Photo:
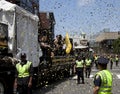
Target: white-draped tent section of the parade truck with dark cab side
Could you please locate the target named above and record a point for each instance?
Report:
(18, 32)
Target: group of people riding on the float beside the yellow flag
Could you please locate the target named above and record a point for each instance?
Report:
(49, 50)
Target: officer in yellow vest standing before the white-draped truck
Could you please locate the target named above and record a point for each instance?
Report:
(23, 76)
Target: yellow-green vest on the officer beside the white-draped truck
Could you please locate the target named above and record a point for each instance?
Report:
(23, 71)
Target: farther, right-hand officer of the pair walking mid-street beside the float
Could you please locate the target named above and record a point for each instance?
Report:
(88, 63)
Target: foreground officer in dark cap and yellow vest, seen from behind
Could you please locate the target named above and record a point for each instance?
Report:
(103, 78)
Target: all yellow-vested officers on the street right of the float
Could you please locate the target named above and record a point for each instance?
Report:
(103, 78)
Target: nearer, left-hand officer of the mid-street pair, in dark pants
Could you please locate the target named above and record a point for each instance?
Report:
(79, 69)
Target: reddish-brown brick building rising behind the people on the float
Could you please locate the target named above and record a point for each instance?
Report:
(46, 25)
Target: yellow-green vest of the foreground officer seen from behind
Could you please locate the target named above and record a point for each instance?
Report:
(106, 82)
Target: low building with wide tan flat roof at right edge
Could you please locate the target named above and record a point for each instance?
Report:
(105, 40)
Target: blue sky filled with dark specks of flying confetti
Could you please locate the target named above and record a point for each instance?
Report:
(89, 16)
